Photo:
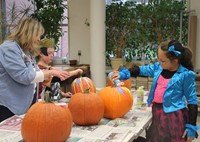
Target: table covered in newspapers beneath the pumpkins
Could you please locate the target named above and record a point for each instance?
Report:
(123, 129)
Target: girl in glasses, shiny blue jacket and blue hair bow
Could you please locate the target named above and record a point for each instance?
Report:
(172, 94)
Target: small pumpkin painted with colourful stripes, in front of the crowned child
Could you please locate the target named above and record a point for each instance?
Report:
(79, 85)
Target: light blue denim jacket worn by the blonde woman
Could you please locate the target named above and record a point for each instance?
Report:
(16, 75)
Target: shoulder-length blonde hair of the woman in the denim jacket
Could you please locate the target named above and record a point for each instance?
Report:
(26, 32)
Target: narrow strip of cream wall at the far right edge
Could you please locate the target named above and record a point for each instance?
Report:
(195, 5)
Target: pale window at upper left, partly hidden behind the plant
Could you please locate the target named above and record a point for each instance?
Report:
(16, 9)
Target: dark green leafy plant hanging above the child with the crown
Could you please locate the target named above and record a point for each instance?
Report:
(51, 14)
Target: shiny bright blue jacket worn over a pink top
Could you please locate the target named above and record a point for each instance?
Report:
(181, 88)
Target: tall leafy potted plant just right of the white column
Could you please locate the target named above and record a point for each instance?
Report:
(120, 23)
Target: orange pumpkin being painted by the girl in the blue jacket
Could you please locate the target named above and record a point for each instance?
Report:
(117, 101)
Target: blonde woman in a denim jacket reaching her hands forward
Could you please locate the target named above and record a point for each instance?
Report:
(19, 73)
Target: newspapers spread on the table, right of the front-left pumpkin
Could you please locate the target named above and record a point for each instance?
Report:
(122, 129)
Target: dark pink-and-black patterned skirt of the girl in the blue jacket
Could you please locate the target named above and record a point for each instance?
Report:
(167, 127)
